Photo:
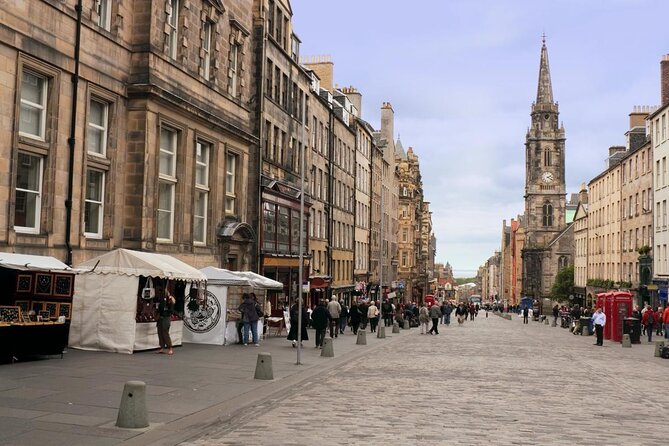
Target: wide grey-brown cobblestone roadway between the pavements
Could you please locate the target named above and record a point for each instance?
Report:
(491, 381)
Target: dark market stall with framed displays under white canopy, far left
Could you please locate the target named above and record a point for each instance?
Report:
(35, 306)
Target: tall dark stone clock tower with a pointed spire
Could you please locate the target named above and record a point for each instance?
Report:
(545, 248)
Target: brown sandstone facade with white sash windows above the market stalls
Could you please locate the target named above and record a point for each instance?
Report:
(147, 148)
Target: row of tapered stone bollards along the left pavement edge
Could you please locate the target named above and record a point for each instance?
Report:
(133, 413)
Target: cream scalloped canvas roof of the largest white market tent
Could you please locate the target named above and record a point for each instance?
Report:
(137, 263)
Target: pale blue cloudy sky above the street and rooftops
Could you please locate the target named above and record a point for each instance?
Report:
(462, 75)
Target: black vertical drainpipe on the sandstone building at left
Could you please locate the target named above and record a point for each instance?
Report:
(71, 140)
